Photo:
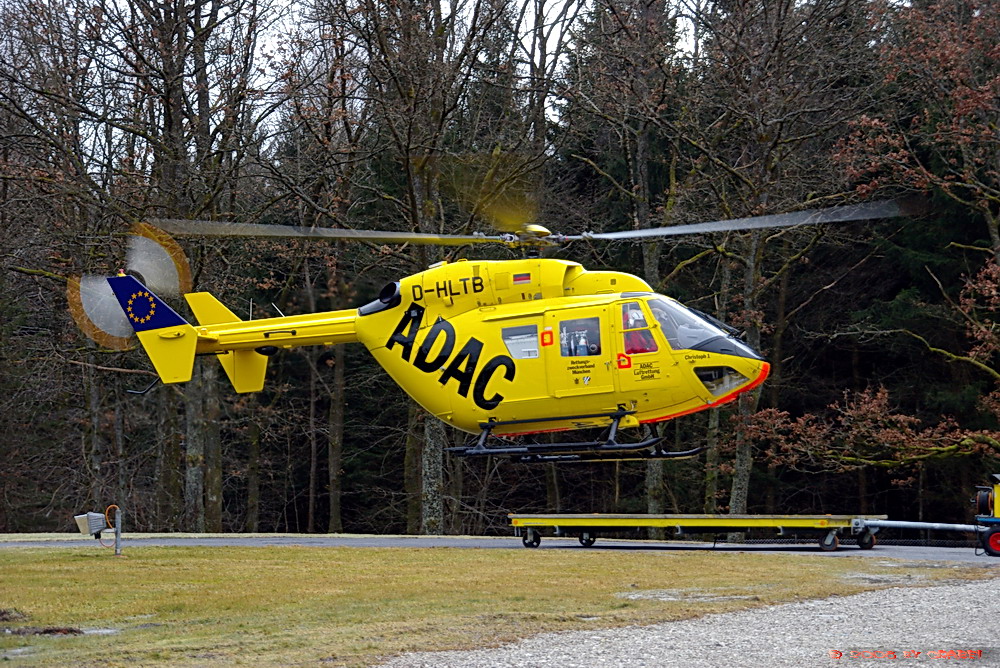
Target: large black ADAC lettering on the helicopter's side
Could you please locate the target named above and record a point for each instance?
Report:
(463, 367)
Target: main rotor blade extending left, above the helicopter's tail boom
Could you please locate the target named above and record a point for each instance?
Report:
(212, 228)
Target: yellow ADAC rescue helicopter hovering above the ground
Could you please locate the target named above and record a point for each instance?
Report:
(497, 348)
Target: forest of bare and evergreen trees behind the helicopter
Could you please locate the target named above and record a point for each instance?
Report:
(582, 115)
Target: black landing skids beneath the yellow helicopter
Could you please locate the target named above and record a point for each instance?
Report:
(608, 449)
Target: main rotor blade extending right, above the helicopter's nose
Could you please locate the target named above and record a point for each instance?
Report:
(837, 214)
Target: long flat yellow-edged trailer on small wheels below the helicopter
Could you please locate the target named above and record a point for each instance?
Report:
(827, 528)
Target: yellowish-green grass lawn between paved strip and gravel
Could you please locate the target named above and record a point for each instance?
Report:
(351, 606)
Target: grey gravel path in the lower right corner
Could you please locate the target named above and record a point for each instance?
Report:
(896, 622)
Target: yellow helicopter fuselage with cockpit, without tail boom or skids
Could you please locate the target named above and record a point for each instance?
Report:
(536, 339)
